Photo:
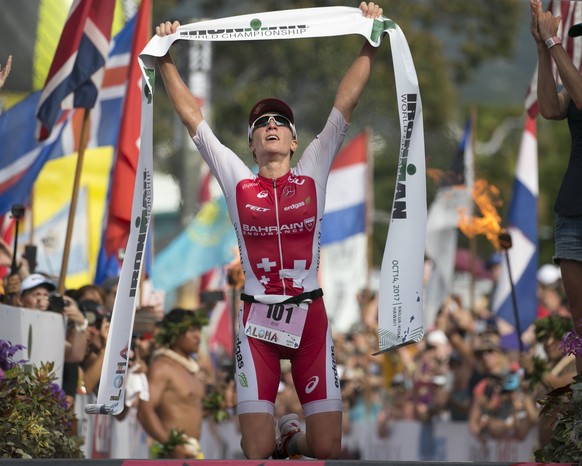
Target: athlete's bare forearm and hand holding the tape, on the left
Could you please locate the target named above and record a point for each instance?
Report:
(182, 99)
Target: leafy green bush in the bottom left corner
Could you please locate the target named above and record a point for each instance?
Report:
(34, 416)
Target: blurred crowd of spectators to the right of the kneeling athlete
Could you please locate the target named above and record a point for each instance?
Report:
(462, 371)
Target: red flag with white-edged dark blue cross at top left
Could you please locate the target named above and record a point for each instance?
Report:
(76, 72)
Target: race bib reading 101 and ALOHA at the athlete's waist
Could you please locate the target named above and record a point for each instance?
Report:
(276, 323)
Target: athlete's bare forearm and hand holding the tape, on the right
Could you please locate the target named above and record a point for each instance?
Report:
(355, 79)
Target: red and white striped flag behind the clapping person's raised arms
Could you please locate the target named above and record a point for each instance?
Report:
(571, 13)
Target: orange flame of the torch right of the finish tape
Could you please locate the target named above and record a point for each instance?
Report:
(486, 198)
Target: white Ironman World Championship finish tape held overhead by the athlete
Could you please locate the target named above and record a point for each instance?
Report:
(400, 312)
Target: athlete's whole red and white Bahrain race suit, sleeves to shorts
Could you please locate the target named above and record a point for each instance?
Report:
(278, 224)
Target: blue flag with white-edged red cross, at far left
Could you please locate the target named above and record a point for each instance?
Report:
(22, 157)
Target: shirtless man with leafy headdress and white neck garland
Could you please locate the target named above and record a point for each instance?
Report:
(173, 414)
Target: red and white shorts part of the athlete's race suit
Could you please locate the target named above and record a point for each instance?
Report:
(313, 367)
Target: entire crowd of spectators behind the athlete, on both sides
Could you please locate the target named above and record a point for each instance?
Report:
(460, 371)
